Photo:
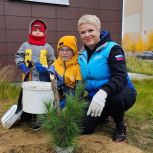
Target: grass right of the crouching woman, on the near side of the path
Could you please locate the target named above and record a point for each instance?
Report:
(140, 117)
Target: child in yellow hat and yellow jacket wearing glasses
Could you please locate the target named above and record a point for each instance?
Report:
(66, 67)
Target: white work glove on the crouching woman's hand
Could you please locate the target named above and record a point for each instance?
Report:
(97, 104)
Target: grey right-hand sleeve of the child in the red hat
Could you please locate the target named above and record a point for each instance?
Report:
(50, 55)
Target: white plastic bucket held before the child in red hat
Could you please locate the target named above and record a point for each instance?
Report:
(35, 95)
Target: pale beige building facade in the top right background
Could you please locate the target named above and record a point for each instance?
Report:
(138, 19)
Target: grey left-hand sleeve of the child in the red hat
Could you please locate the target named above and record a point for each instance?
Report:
(20, 55)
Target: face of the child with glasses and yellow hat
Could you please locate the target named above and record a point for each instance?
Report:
(65, 53)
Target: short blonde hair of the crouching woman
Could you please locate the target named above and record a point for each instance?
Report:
(90, 19)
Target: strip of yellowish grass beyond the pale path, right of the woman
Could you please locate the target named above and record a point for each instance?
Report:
(139, 66)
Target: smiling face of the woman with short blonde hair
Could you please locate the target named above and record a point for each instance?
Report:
(89, 34)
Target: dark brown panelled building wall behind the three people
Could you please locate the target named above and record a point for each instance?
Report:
(61, 20)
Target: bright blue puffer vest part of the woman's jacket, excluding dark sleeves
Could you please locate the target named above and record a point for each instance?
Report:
(97, 71)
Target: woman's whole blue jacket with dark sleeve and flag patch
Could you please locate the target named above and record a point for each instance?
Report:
(105, 68)
